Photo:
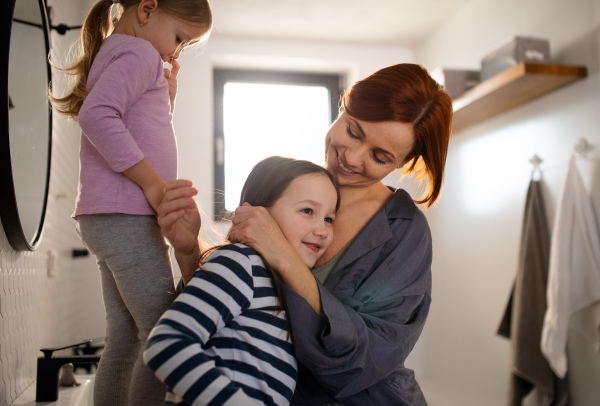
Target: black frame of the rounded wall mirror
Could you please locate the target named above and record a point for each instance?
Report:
(9, 212)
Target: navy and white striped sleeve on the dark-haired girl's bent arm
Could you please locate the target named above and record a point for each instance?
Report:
(176, 348)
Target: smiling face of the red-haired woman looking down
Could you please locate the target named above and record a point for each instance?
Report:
(361, 153)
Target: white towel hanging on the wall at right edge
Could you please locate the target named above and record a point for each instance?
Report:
(573, 292)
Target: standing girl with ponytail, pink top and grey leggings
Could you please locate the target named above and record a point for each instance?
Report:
(123, 100)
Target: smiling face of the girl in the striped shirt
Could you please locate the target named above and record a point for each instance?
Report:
(305, 213)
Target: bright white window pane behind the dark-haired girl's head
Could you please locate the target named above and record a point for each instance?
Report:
(261, 120)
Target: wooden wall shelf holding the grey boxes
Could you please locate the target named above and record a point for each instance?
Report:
(509, 89)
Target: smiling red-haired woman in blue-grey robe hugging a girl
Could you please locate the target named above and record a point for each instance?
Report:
(356, 316)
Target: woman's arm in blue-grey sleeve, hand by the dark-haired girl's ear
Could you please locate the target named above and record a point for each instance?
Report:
(362, 330)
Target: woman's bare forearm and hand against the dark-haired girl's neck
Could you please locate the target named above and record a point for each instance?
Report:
(254, 226)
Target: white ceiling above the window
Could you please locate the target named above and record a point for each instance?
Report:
(374, 22)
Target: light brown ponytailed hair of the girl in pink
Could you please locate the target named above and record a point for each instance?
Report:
(98, 25)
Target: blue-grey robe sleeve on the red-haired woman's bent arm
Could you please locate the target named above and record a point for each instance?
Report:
(376, 303)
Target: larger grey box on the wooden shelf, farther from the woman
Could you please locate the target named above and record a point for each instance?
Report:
(517, 50)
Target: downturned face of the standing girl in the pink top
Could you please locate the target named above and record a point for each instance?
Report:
(169, 35)
